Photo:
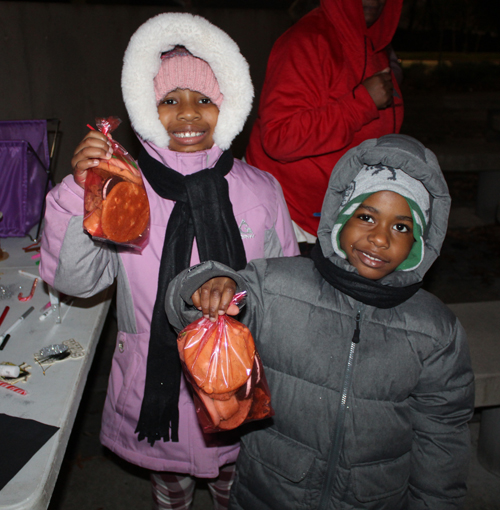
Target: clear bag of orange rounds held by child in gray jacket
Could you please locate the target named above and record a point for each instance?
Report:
(220, 362)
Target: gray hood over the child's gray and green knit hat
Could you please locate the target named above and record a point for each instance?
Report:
(409, 155)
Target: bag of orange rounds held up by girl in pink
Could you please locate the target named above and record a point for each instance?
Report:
(116, 203)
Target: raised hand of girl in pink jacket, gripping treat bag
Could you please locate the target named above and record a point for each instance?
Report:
(94, 145)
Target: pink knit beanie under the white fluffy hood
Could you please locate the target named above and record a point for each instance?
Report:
(180, 69)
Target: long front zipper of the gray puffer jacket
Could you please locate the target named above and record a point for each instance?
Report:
(333, 456)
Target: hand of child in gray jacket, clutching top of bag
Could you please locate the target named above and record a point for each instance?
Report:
(213, 298)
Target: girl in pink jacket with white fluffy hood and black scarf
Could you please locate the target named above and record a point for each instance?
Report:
(188, 92)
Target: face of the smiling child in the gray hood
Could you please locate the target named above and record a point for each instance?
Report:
(379, 235)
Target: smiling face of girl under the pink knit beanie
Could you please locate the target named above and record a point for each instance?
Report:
(189, 118)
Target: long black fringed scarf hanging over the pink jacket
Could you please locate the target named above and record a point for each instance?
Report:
(202, 210)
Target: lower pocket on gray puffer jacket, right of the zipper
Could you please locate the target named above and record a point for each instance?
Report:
(381, 480)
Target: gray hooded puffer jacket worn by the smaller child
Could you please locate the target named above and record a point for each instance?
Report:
(375, 423)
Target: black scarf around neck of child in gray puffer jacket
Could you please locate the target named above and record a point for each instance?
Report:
(369, 292)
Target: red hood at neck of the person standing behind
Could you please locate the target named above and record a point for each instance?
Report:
(348, 19)
